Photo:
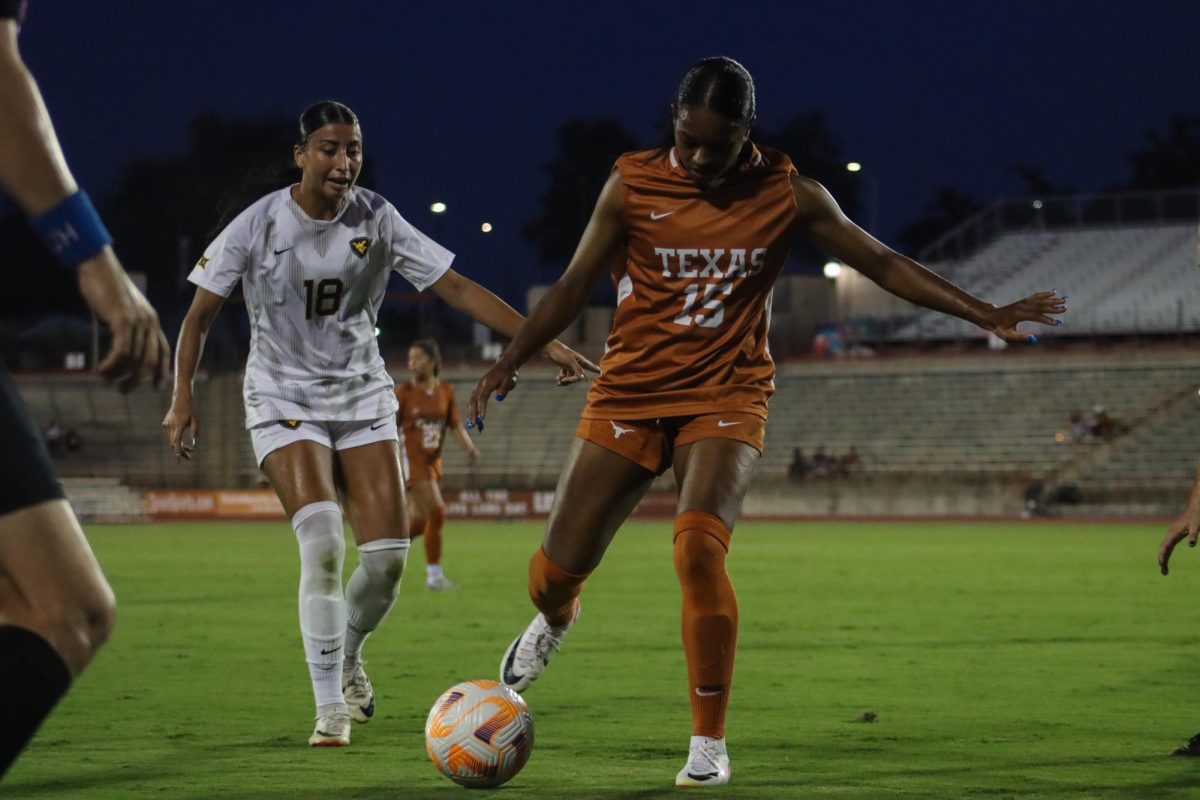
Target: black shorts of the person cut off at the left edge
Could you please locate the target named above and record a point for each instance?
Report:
(27, 477)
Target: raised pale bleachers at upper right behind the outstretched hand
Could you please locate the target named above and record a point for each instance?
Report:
(1127, 280)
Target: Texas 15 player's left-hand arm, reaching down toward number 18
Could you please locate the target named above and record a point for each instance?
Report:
(562, 304)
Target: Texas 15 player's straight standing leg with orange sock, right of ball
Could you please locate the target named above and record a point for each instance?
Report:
(713, 477)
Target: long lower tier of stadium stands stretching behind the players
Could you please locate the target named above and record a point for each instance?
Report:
(998, 417)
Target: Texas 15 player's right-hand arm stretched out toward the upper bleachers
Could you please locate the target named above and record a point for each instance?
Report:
(829, 228)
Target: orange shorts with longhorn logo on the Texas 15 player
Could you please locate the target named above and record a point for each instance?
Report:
(652, 443)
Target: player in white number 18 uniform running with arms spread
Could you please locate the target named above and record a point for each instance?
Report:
(314, 260)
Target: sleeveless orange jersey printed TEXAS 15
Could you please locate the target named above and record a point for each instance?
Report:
(694, 288)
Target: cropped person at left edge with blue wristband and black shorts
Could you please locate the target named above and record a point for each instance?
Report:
(56, 606)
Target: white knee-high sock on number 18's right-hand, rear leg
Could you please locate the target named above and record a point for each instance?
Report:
(371, 592)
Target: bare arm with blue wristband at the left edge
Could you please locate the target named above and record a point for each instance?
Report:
(35, 175)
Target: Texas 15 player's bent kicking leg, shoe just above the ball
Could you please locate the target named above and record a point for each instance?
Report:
(598, 491)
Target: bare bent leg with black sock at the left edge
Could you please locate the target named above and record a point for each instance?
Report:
(56, 612)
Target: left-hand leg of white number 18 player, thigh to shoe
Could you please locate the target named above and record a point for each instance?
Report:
(303, 476)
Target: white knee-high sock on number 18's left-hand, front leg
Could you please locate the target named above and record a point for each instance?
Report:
(319, 528)
